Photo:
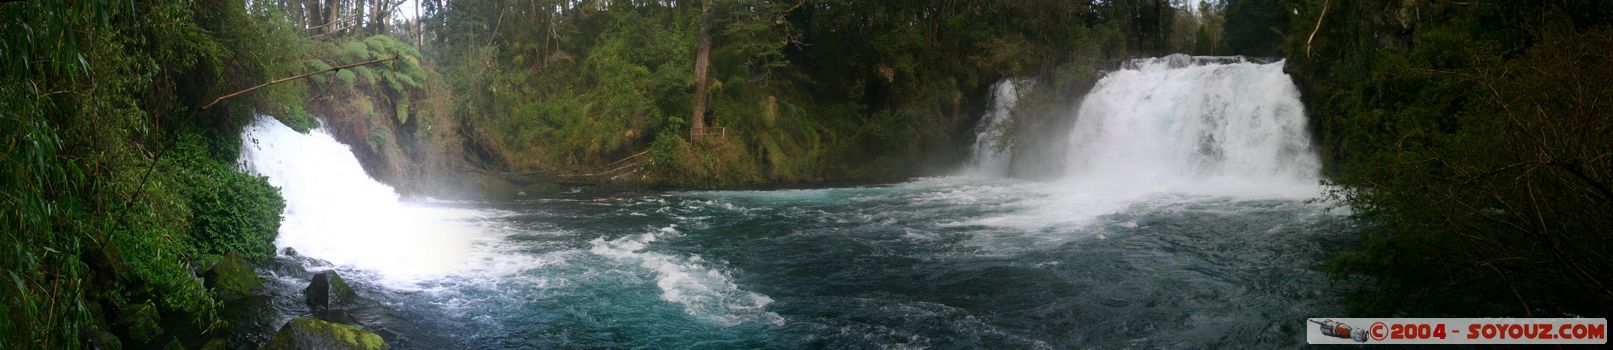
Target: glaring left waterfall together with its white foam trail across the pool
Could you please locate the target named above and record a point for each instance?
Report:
(338, 214)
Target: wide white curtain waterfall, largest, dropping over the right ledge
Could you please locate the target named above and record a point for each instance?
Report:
(1196, 127)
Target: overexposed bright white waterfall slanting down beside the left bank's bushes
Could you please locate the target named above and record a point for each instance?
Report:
(338, 214)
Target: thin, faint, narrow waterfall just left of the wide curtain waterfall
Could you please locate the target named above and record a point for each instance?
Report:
(991, 156)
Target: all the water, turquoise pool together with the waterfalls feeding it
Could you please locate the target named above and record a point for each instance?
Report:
(1183, 223)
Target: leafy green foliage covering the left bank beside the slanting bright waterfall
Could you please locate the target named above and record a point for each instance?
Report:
(99, 238)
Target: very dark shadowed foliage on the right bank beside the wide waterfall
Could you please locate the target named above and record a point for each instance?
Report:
(1475, 143)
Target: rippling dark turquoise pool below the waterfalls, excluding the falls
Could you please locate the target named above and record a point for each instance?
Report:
(935, 264)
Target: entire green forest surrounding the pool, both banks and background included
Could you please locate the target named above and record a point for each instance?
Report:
(1470, 140)
